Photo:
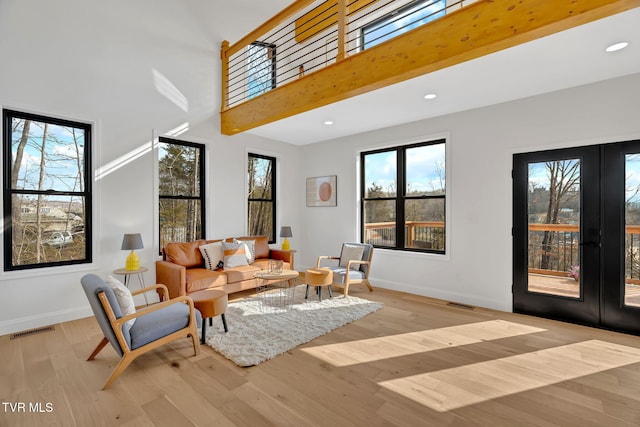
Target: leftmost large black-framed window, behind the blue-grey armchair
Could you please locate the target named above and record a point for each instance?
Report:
(46, 191)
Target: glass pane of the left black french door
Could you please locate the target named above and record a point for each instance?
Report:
(553, 212)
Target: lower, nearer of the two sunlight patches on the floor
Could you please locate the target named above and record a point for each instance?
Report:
(454, 388)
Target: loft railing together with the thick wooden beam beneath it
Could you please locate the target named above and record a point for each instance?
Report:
(312, 53)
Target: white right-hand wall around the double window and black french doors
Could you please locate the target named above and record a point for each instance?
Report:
(481, 144)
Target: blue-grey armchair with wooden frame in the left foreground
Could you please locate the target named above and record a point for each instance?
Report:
(155, 325)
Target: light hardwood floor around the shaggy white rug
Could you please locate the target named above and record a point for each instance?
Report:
(416, 362)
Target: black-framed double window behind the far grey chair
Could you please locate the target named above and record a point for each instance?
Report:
(403, 197)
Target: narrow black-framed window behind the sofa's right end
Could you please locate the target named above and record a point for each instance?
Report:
(261, 173)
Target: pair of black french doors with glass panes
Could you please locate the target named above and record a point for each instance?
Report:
(576, 235)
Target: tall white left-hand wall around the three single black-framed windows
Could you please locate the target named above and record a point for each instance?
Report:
(134, 69)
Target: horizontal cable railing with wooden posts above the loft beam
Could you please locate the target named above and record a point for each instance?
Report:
(310, 35)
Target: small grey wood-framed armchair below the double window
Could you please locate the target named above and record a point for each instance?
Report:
(351, 269)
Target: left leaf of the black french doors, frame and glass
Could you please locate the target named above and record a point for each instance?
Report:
(556, 234)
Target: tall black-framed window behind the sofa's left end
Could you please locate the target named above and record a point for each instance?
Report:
(181, 192)
